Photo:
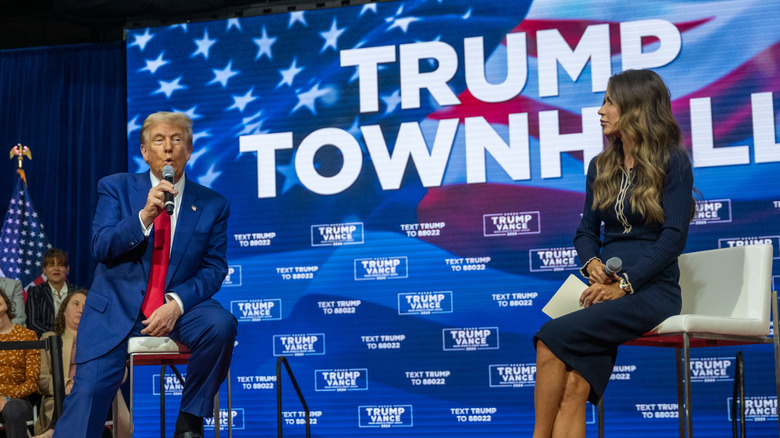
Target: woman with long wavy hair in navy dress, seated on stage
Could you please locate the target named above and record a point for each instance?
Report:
(640, 188)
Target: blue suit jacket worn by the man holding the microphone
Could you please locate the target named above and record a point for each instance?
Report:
(197, 266)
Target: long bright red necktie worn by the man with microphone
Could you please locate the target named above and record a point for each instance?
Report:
(155, 291)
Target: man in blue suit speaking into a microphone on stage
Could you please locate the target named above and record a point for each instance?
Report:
(122, 241)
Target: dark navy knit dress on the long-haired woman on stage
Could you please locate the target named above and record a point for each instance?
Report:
(587, 340)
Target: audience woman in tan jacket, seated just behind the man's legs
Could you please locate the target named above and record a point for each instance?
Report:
(66, 325)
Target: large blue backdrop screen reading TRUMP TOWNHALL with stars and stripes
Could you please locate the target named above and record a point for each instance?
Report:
(405, 181)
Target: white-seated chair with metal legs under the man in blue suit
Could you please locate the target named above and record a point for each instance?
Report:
(163, 351)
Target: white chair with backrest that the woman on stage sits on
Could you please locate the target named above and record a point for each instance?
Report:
(725, 301)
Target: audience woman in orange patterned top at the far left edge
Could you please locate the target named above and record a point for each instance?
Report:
(19, 371)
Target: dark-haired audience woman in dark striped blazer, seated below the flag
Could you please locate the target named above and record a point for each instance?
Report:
(44, 300)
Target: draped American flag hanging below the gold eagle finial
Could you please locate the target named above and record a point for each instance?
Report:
(22, 241)
